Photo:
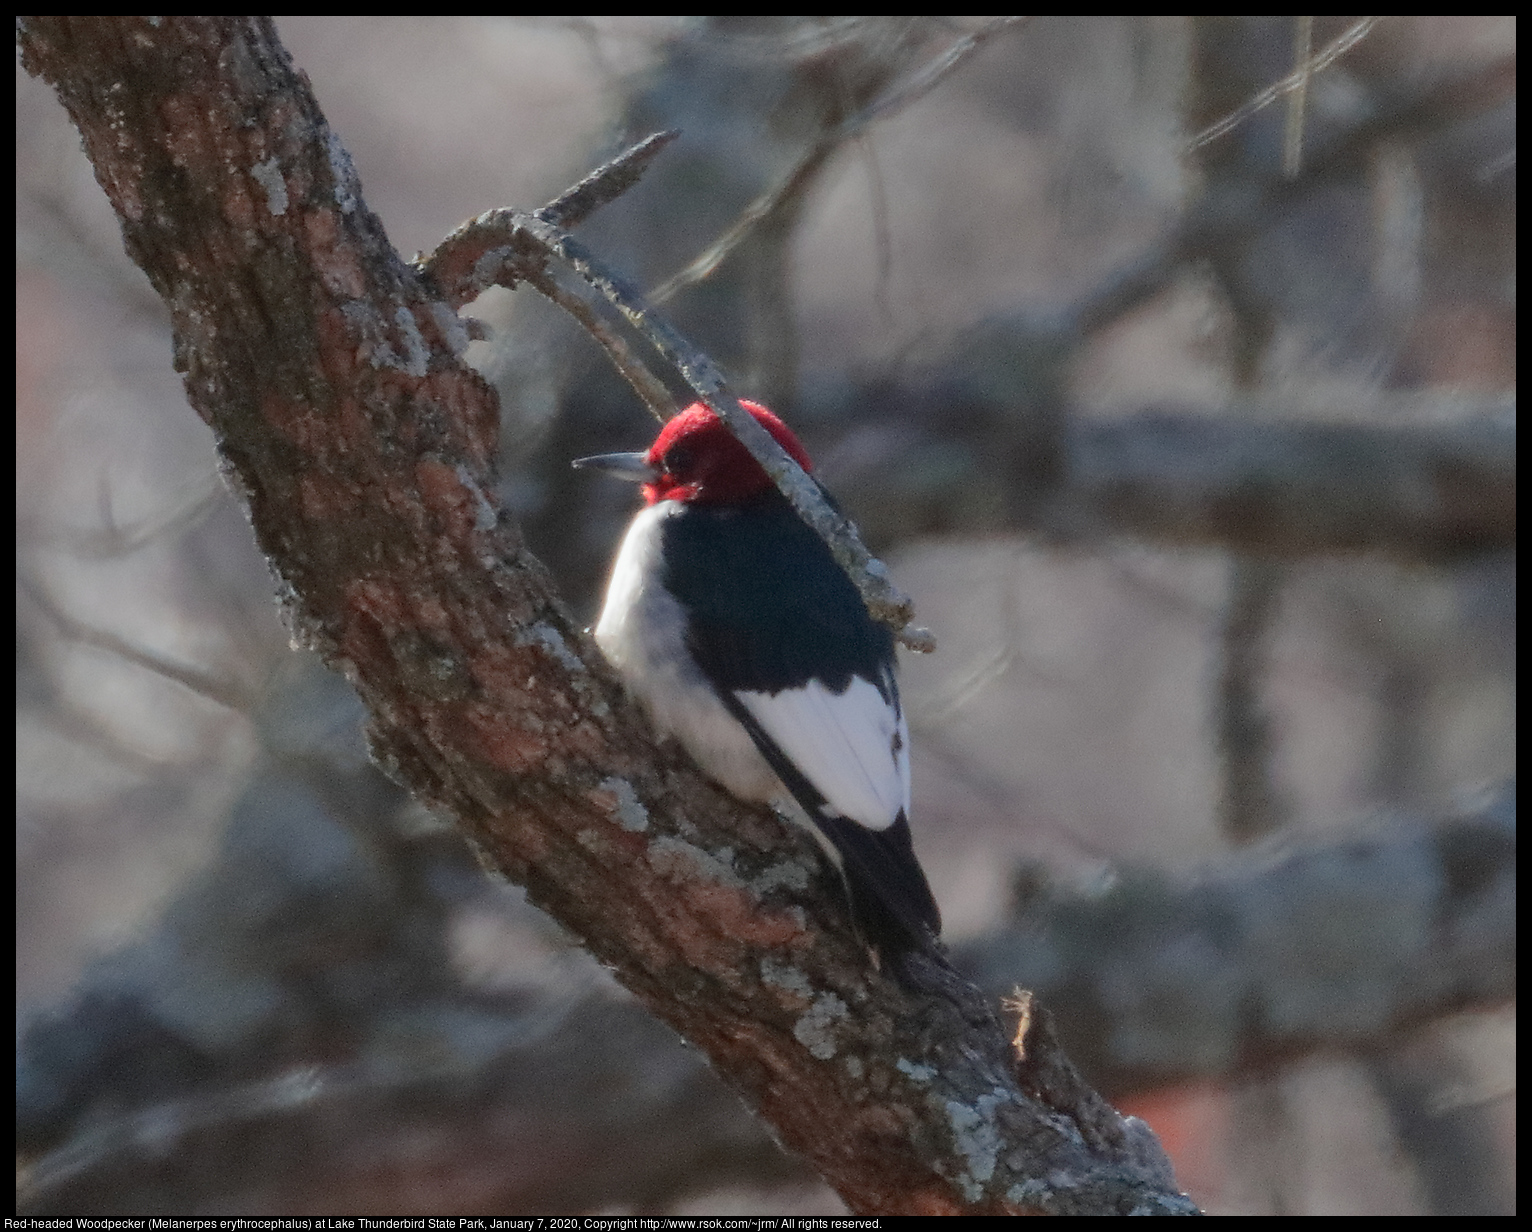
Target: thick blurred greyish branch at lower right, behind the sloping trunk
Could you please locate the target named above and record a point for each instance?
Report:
(1162, 981)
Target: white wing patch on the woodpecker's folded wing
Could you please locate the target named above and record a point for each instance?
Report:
(853, 747)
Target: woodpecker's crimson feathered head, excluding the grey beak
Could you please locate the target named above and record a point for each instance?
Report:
(699, 460)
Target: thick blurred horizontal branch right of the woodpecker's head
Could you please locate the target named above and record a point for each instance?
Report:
(1265, 482)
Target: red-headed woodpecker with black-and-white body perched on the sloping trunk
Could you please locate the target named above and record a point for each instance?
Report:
(736, 629)
